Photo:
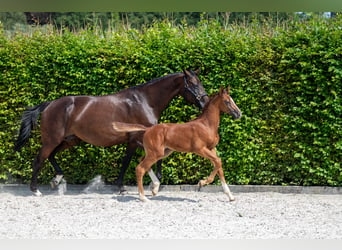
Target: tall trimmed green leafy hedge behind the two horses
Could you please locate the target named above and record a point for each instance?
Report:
(286, 79)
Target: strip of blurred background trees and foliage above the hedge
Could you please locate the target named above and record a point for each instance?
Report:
(107, 20)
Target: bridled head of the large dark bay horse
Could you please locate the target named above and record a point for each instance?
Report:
(193, 90)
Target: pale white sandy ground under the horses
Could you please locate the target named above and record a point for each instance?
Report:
(169, 215)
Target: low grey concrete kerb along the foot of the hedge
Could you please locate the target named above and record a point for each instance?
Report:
(109, 189)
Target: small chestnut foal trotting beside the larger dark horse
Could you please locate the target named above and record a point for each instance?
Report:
(199, 136)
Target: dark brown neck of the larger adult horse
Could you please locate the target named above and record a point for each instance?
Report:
(161, 92)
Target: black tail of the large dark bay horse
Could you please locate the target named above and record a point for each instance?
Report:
(28, 122)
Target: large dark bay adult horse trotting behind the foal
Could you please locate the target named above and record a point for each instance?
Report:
(67, 121)
